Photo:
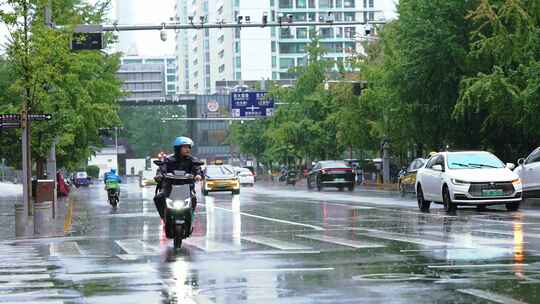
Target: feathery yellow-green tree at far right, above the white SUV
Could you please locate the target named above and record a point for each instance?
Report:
(501, 94)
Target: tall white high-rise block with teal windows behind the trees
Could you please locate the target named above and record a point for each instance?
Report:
(210, 55)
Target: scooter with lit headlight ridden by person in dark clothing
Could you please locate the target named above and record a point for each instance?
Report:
(180, 206)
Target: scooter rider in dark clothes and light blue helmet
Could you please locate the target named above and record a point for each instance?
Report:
(180, 160)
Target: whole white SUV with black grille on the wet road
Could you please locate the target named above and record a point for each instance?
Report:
(467, 178)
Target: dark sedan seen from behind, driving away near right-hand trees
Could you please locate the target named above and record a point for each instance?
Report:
(331, 173)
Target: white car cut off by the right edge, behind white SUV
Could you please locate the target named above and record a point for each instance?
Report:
(529, 172)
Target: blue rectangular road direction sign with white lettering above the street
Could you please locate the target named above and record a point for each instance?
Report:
(251, 104)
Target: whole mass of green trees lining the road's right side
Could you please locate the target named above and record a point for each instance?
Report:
(458, 74)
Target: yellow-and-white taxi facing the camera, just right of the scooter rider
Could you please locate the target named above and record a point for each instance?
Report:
(220, 178)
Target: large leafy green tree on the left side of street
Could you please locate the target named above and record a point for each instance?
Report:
(80, 89)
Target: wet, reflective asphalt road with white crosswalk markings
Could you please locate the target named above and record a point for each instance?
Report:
(278, 245)
